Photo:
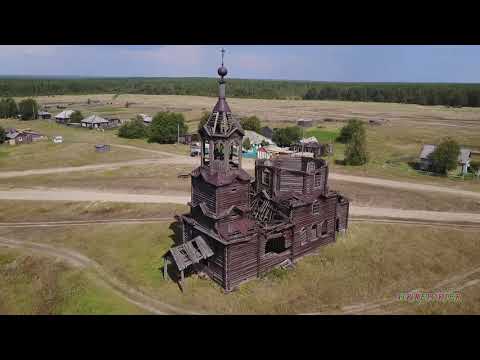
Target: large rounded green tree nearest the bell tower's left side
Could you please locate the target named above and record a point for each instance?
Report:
(164, 127)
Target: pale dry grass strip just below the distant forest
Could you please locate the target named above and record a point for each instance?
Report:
(270, 110)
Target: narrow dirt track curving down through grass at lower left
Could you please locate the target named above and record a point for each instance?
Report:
(79, 260)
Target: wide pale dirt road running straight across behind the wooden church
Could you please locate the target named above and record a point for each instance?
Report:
(181, 198)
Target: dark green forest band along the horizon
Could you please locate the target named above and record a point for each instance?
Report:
(447, 94)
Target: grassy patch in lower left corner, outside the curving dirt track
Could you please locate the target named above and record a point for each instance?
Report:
(42, 285)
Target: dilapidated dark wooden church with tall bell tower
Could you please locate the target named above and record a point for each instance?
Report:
(238, 227)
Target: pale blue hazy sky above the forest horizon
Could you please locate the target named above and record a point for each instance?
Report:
(351, 63)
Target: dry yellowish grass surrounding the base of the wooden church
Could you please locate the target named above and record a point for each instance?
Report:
(372, 262)
